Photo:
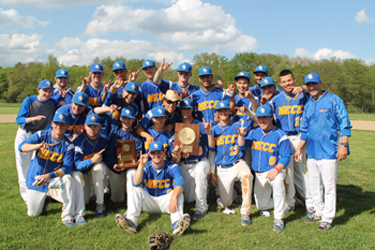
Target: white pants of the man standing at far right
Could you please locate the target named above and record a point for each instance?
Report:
(323, 175)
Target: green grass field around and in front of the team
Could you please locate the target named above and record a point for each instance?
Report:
(353, 224)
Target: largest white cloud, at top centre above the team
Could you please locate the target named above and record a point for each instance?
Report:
(186, 25)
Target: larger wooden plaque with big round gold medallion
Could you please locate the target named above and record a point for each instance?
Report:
(187, 135)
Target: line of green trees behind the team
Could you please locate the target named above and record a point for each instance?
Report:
(351, 79)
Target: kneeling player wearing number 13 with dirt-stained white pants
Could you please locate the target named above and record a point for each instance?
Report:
(223, 138)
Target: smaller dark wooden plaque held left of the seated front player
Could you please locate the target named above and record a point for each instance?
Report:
(126, 154)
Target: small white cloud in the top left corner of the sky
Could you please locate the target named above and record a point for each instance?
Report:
(13, 18)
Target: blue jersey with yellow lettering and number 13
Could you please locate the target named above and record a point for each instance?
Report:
(226, 143)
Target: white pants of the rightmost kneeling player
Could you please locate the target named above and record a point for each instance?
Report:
(263, 188)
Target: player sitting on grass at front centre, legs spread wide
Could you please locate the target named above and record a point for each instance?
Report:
(159, 194)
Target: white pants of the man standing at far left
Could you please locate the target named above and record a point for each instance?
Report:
(23, 160)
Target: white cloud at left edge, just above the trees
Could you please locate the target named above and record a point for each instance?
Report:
(21, 48)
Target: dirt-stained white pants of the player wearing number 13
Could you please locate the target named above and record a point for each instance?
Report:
(226, 179)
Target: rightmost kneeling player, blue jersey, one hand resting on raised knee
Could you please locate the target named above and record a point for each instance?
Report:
(271, 153)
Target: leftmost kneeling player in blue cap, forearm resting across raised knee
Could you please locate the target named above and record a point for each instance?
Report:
(50, 168)
